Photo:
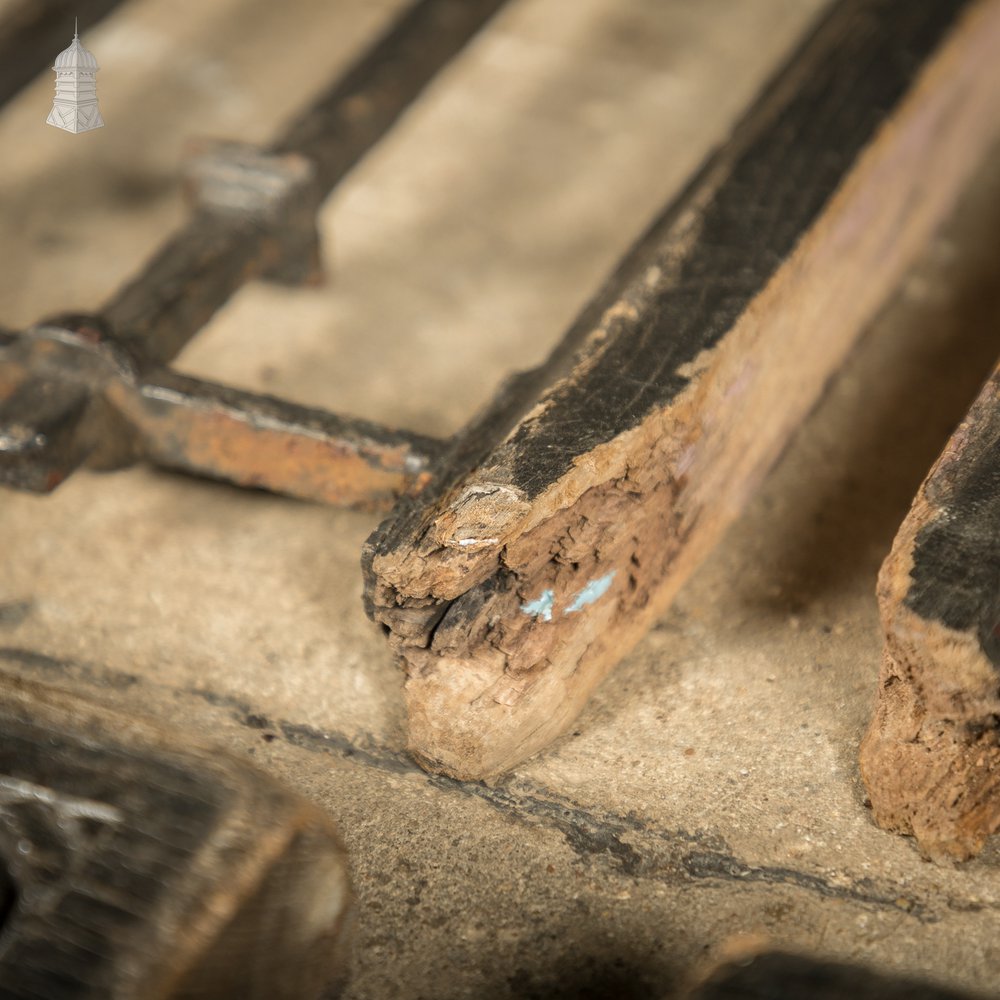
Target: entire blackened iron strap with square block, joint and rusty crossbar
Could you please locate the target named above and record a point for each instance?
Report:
(78, 389)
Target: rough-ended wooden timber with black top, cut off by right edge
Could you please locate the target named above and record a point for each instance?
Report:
(931, 758)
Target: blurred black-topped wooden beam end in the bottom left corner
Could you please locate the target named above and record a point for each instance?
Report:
(135, 866)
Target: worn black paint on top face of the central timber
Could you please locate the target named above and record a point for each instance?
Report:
(780, 170)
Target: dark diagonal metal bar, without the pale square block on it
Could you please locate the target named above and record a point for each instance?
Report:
(201, 267)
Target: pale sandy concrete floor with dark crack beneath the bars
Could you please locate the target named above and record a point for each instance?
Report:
(710, 790)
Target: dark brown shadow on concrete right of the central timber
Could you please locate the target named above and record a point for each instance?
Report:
(832, 507)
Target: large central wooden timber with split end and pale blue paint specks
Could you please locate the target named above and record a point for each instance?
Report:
(569, 514)
